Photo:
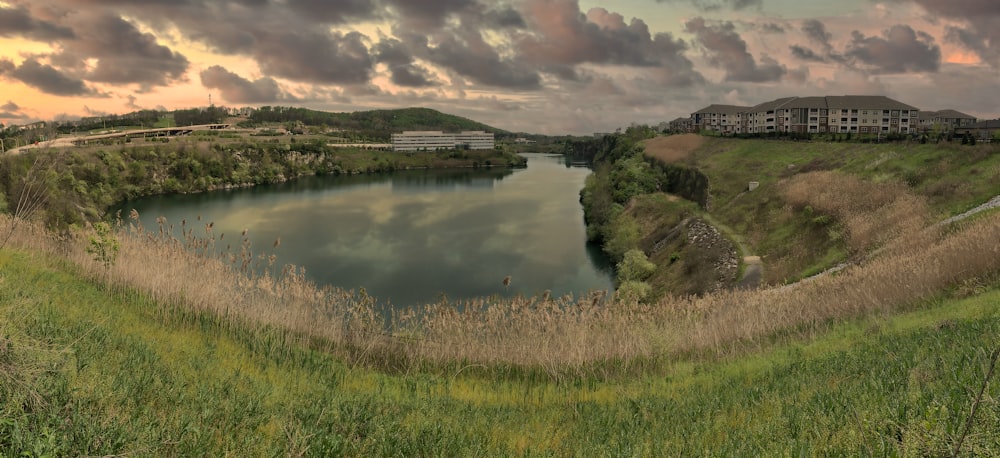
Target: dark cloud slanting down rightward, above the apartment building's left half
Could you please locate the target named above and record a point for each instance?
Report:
(727, 50)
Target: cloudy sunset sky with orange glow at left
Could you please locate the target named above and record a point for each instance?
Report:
(540, 66)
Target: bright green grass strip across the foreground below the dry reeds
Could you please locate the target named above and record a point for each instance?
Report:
(119, 374)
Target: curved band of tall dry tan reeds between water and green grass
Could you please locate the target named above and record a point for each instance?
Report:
(561, 335)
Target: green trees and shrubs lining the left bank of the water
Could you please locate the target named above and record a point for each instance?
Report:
(81, 184)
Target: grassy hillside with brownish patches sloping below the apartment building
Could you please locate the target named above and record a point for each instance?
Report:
(823, 203)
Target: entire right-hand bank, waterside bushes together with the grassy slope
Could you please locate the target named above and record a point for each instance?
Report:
(859, 193)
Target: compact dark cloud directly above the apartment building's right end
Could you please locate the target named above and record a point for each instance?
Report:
(899, 50)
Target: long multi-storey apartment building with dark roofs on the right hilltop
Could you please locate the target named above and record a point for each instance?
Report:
(855, 114)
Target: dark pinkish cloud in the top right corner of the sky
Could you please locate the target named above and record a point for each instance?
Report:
(982, 34)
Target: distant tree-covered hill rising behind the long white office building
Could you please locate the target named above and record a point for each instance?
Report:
(379, 123)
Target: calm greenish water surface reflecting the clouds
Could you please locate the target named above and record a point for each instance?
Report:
(414, 237)
